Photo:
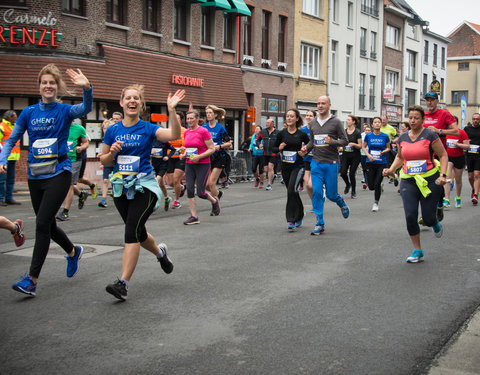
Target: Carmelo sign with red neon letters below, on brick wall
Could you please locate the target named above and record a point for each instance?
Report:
(39, 32)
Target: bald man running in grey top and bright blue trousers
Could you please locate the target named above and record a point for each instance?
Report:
(326, 135)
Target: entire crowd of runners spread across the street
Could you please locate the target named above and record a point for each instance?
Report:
(425, 158)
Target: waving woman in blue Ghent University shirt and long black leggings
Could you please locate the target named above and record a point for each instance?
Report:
(48, 125)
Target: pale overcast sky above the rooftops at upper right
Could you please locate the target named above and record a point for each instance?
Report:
(445, 15)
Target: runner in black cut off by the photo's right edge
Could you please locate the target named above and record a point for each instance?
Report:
(473, 156)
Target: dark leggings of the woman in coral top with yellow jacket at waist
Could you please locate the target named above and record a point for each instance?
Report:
(411, 196)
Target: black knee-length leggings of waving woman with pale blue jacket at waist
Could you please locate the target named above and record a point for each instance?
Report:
(134, 213)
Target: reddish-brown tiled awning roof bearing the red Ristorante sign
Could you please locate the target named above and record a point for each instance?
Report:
(223, 84)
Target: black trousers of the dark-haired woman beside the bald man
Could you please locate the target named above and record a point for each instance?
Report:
(292, 176)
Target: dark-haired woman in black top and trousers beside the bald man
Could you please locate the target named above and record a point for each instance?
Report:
(290, 142)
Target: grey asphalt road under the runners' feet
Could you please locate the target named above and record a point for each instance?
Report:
(246, 296)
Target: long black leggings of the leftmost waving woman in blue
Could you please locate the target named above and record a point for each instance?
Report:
(47, 196)
